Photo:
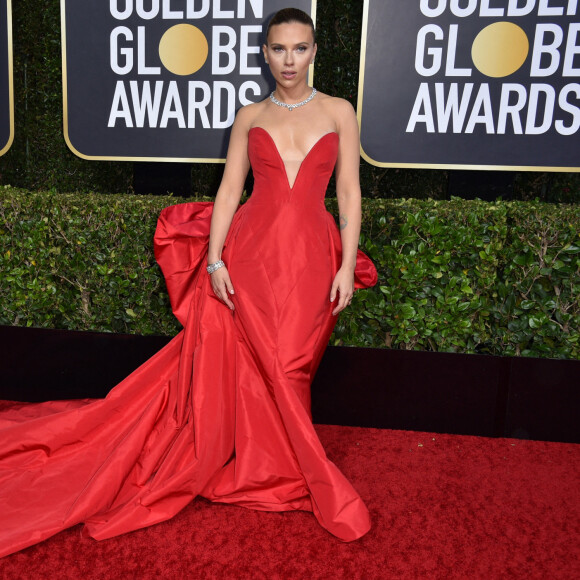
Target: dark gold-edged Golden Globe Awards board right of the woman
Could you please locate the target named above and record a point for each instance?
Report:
(472, 84)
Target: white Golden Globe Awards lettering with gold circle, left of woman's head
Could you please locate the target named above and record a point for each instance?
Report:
(183, 50)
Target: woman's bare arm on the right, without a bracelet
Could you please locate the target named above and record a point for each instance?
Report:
(349, 202)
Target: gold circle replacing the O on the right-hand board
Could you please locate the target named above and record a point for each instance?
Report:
(500, 49)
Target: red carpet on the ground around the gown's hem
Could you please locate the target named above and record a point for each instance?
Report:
(443, 506)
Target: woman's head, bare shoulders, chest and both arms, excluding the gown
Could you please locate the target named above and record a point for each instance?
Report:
(289, 51)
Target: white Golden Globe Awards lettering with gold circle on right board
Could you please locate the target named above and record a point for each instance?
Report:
(499, 50)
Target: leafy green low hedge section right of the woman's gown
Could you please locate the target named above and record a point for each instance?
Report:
(471, 277)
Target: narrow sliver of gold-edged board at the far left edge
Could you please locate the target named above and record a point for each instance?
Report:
(6, 87)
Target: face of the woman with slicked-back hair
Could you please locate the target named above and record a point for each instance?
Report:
(289, 51)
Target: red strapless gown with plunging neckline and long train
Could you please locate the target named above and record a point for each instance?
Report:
(223, 411)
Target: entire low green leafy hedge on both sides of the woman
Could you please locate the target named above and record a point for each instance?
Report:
(458, 276)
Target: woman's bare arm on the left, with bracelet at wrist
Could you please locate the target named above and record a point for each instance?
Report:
(226, 203)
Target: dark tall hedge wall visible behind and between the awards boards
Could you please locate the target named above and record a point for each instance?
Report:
(39, 158)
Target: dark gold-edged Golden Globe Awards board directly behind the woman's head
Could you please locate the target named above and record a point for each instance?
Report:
(161, 80)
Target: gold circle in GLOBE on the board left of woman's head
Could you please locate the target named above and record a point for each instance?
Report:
(183, 49)
